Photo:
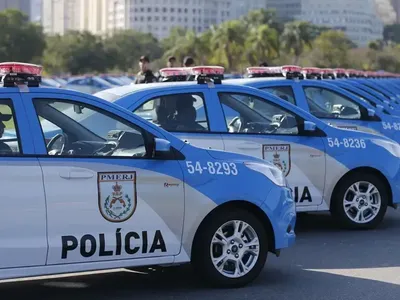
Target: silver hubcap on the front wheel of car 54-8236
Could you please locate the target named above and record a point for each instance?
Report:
(362, 202)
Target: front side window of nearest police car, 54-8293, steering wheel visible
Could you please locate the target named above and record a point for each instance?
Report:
(72, 129)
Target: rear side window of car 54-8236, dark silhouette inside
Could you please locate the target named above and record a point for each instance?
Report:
(177, 112)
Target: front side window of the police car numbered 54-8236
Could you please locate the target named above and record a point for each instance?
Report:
(249, 114)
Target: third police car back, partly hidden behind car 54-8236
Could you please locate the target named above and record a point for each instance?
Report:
(322, 99)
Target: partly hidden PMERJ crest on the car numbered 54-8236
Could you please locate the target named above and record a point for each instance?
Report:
(279, 155)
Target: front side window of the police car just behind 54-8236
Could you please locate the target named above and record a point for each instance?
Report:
(324, 103)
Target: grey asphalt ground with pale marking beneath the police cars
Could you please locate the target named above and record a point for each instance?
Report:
(326, 264)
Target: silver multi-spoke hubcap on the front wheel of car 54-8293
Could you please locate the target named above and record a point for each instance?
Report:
(235, 249)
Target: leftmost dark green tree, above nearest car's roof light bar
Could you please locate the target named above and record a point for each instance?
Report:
(20, 40)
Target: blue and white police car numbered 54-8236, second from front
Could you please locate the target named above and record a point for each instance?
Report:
(350, 173)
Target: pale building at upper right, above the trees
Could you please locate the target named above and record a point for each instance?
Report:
(359, 19)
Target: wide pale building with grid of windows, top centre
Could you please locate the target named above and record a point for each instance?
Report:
(160, 16)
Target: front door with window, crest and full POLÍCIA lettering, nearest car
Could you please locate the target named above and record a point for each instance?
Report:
(102, 207)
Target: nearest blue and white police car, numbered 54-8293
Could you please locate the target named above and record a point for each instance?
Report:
(132, 196)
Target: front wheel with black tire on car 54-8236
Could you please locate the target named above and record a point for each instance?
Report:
(354, 207)
